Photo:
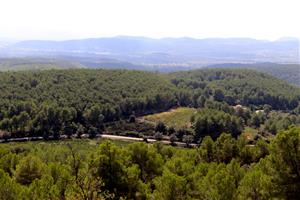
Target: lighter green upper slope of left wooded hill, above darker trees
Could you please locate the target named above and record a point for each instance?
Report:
(82, 88)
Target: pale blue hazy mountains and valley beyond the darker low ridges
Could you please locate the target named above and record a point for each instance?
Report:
(175, 51)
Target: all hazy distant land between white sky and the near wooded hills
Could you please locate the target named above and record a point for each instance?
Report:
(279, 58)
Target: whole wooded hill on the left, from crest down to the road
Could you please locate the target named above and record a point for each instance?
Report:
(50, 102)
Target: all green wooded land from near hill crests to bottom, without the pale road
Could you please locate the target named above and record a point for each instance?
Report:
(240, 130)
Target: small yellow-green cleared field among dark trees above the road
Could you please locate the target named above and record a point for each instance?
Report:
(179, 117)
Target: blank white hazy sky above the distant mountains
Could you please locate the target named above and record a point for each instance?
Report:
(68, 19)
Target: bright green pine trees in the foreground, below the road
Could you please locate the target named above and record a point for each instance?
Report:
(225, 169)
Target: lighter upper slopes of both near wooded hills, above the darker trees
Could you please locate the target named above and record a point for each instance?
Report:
(140, 90)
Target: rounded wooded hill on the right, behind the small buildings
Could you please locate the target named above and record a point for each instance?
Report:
(236, 86)
